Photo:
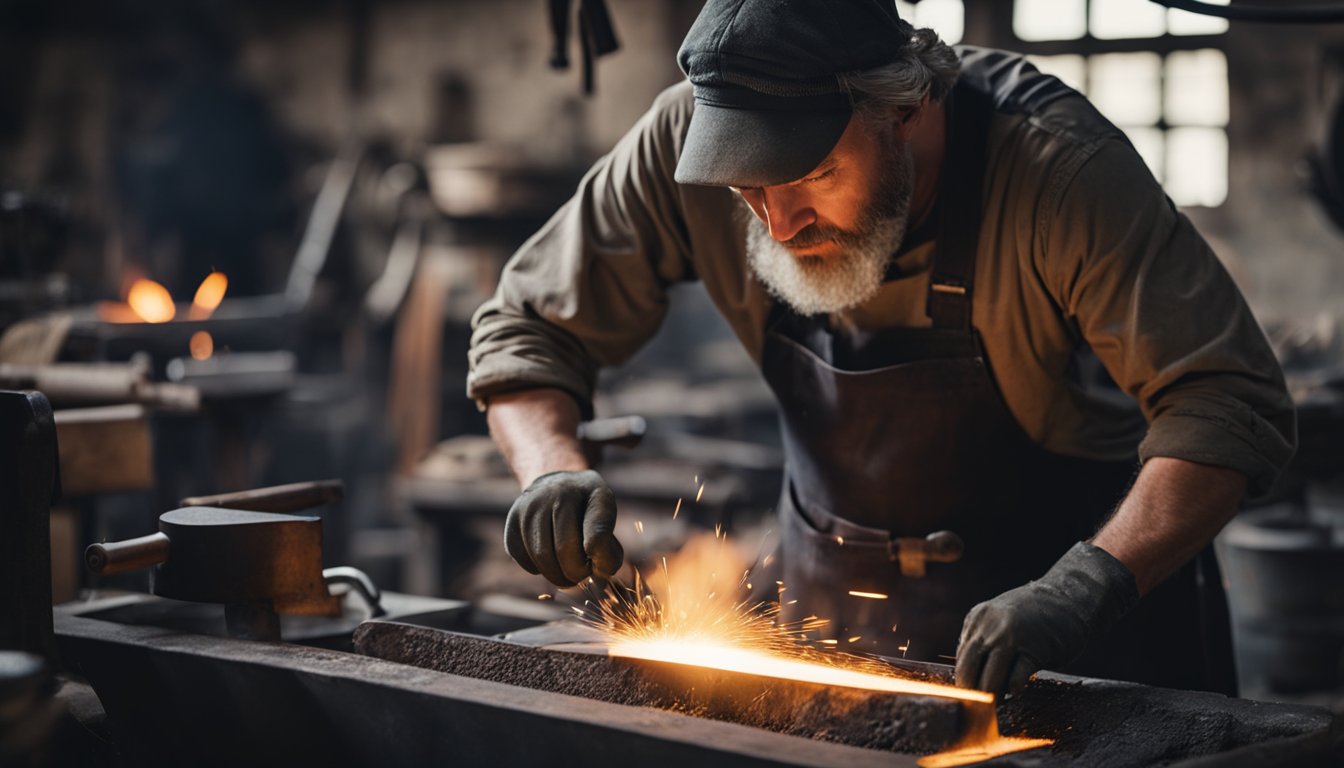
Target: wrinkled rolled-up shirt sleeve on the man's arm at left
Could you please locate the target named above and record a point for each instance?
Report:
(591, 287)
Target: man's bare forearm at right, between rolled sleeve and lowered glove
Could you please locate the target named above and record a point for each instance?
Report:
(1173, 512)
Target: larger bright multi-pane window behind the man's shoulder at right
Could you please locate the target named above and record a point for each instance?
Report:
(1169, 93)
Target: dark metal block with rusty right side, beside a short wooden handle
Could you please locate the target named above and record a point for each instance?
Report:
(239, 556)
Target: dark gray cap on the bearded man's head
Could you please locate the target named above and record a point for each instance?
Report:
(768, 104)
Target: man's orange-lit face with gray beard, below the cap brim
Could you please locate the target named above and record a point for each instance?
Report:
(823, 244)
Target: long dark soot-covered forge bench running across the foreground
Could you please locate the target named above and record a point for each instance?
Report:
(420, 696)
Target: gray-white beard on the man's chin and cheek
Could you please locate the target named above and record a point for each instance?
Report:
(815, 286)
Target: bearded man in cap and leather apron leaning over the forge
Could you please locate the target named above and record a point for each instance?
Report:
(1018, 392)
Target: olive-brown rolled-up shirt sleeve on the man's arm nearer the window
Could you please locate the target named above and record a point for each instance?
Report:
(1167, 321)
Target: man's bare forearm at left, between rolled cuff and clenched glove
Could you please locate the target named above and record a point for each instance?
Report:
(537, 432)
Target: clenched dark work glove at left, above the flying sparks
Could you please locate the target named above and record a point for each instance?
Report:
(564, 528)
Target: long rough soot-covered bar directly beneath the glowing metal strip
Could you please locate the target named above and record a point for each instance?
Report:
(862, 719)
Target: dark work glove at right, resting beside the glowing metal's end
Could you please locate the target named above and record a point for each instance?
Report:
(1045, 623)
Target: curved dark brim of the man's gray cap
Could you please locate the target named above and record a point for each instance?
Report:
(728, 147)
